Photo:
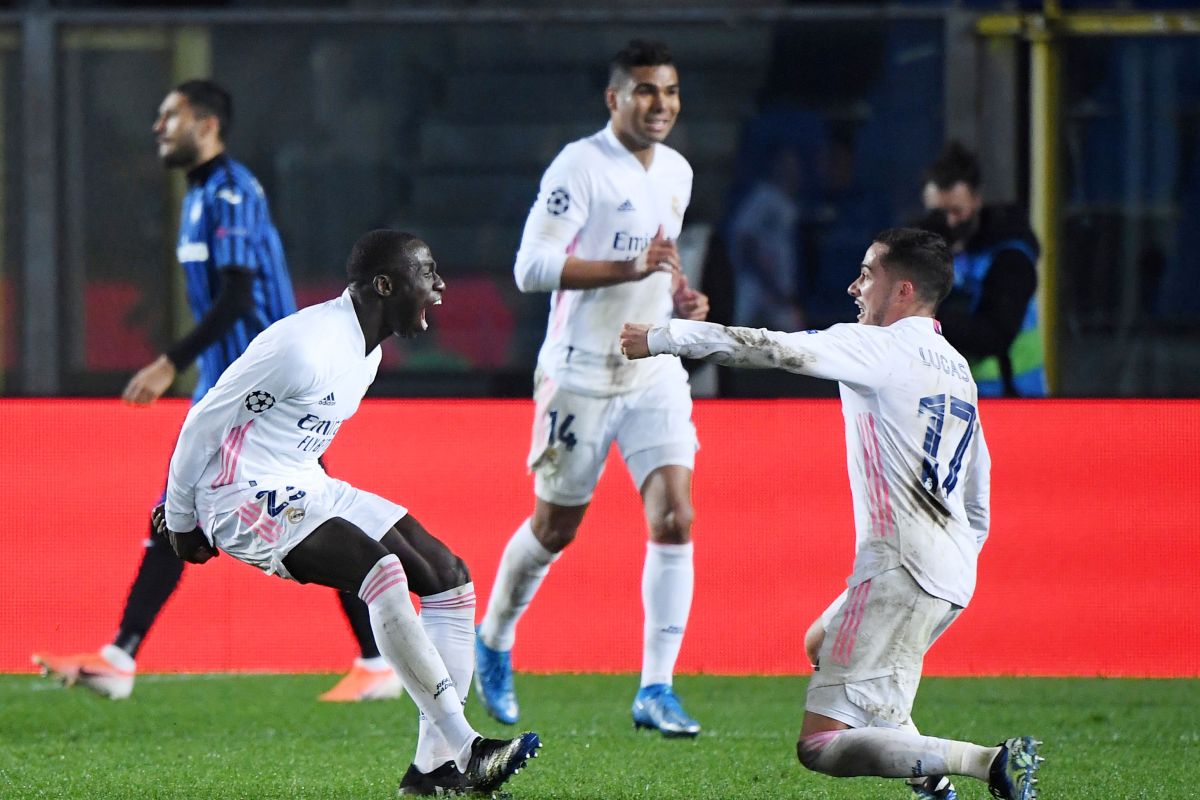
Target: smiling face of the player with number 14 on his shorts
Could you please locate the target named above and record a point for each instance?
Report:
(645, 106)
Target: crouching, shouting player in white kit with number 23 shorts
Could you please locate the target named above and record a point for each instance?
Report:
(245, 480)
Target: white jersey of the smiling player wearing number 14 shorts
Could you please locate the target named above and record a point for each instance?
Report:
(598, 203)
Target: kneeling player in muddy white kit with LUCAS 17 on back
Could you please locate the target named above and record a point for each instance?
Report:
(920, 476)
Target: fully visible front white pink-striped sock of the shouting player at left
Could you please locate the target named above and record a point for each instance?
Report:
(404, 642)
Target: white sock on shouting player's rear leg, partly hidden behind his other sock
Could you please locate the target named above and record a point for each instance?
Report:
(449, 621)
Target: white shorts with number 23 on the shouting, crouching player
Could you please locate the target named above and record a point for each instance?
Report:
(269, 520)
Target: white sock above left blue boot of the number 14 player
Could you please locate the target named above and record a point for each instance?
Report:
(523, 569)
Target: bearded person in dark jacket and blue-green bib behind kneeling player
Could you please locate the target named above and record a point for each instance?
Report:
(992, 316)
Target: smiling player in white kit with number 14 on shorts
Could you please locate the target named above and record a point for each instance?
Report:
(601, 238)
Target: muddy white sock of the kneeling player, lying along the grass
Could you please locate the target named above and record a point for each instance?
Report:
(887, 753)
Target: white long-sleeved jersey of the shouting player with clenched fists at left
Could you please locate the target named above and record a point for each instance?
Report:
(273, 413)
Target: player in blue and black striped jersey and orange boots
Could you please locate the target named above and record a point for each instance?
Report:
(238, 285)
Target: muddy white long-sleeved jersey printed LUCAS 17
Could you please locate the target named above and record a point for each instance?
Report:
(920, 470)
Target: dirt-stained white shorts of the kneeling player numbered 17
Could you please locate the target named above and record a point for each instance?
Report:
(874, 648)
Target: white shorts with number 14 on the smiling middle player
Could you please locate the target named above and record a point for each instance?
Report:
(573, 434)
